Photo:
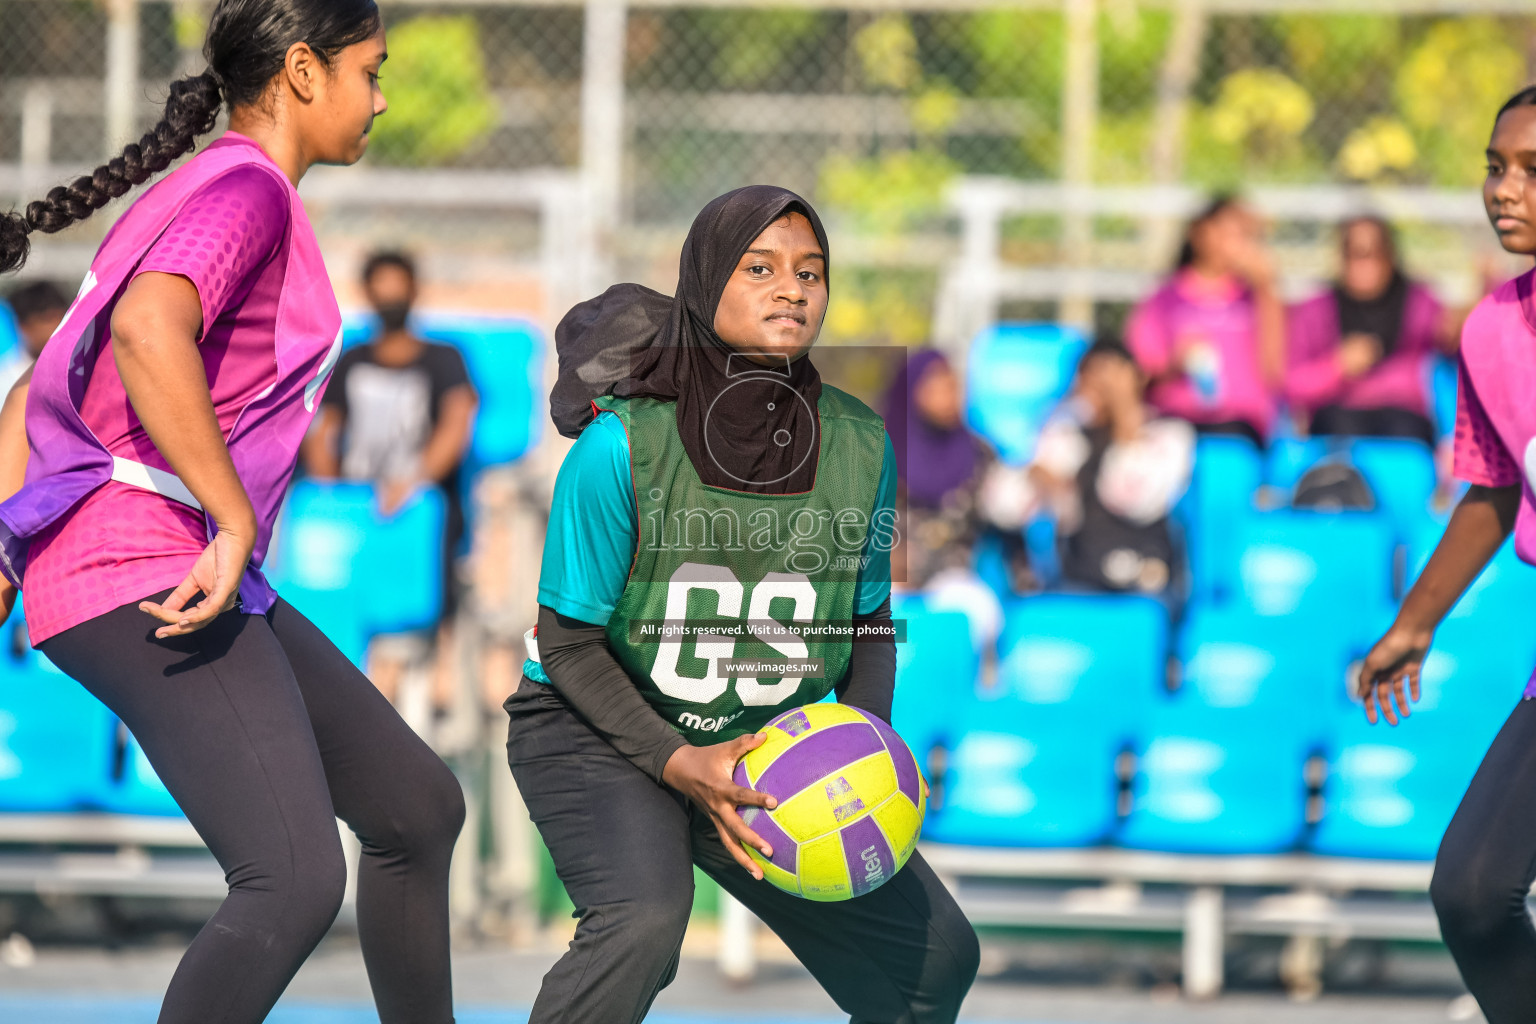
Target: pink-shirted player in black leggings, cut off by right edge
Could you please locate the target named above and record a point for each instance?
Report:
(1488, 859)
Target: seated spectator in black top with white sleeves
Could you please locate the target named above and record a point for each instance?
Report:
(1113, 472)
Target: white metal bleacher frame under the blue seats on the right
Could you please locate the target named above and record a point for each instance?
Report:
(1203, 897)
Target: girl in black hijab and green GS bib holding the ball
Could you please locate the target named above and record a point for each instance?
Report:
(713, 474)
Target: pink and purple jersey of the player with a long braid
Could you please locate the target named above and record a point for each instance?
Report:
(102, 521)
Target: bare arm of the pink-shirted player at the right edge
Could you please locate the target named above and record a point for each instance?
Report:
(1478, 529)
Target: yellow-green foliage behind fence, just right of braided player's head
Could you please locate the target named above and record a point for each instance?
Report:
(440, 102)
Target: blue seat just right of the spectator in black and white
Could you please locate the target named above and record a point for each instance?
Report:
(1228, 471)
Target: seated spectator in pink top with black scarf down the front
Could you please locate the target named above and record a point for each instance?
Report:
(1360, 352)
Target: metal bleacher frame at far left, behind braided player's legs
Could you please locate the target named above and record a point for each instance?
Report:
(107, 856)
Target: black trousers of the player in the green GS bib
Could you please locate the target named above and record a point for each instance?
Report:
(626, 848)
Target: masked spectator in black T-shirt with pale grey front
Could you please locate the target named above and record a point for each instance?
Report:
(399, 412)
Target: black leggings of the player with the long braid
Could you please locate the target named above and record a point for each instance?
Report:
(265, 735)
